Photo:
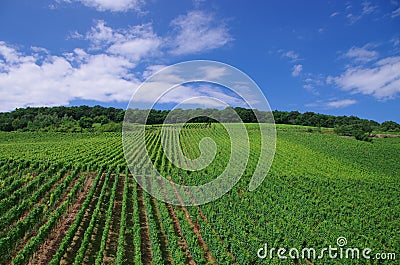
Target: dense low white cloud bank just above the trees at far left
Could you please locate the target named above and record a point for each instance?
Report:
(27, 80)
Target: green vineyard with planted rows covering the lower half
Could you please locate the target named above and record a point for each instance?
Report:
(71, 199)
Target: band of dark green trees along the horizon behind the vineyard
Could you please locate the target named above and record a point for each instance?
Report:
(97, 118)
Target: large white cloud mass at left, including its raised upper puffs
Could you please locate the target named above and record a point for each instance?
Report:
(38, 78)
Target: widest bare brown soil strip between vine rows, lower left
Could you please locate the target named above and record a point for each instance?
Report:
(50, 246)
